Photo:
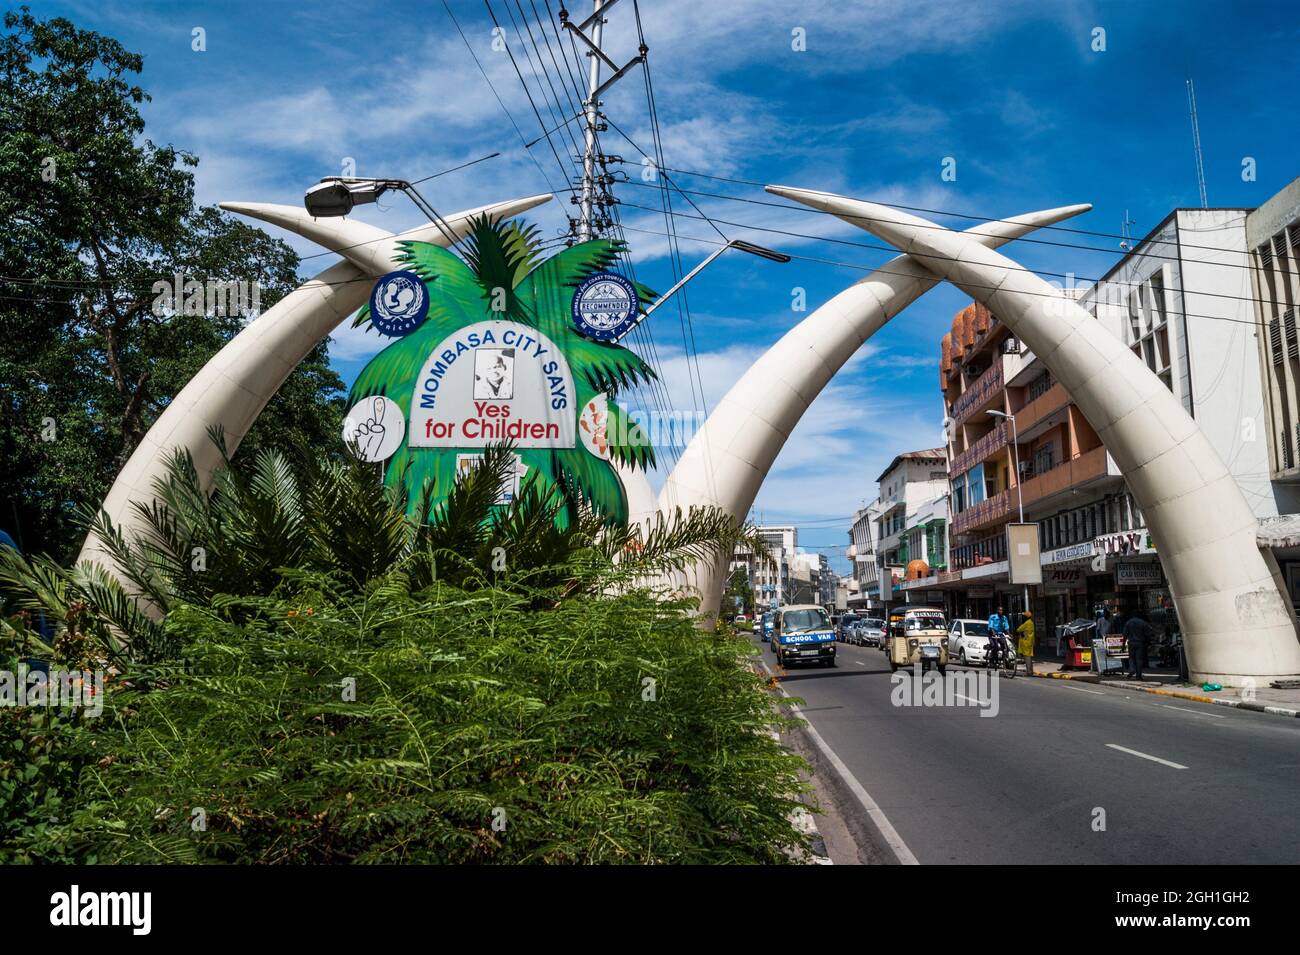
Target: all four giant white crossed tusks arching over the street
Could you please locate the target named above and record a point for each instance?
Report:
(1229, 597)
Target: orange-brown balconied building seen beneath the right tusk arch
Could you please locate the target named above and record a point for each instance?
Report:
(1067, 481)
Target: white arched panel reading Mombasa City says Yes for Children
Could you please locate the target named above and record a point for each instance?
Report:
(492, 383)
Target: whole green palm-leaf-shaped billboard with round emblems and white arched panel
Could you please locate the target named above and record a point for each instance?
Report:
(489, 354)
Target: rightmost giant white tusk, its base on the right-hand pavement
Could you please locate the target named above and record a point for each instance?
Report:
(1236, 623)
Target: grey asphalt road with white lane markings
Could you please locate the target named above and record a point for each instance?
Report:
(1025, 785)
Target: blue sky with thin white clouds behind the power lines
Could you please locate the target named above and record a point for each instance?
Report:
(885, 90)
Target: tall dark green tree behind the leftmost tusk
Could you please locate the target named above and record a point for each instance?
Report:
(96, 215)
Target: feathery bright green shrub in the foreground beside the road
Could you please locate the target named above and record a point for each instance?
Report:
(470, 710)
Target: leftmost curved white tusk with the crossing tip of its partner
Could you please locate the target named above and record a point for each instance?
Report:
(237, 383)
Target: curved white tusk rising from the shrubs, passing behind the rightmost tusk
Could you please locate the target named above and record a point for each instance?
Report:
(726, 463)
